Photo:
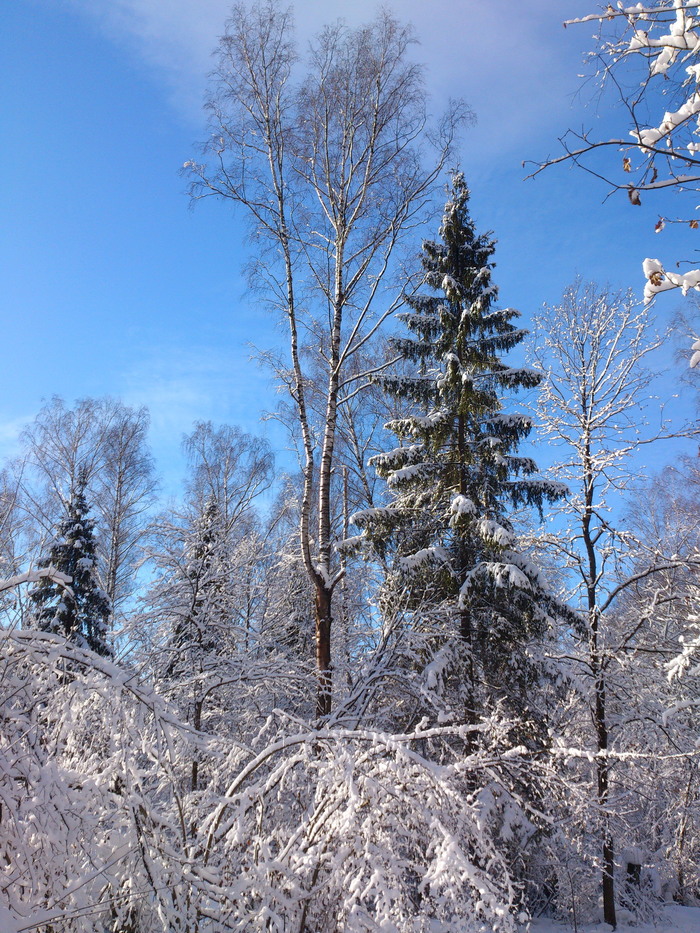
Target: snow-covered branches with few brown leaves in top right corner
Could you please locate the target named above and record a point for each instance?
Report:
(646, 55)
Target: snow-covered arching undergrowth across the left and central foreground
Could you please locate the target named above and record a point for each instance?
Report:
(298, 828)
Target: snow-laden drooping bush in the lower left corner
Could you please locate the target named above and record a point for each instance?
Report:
(89, 836)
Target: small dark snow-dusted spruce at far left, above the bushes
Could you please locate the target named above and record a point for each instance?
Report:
(80, 611)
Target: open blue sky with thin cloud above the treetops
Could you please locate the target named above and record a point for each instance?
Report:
(112, 285)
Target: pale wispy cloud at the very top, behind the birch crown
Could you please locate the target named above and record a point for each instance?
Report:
(509, 61)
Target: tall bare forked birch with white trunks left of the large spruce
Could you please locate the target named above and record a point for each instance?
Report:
(331, 168)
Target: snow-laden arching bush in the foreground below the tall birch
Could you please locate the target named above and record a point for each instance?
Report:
(354, 830)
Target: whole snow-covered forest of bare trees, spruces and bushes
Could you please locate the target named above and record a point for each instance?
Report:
(400, 676)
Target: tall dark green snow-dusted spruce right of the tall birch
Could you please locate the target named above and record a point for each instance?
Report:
(457, 476)
